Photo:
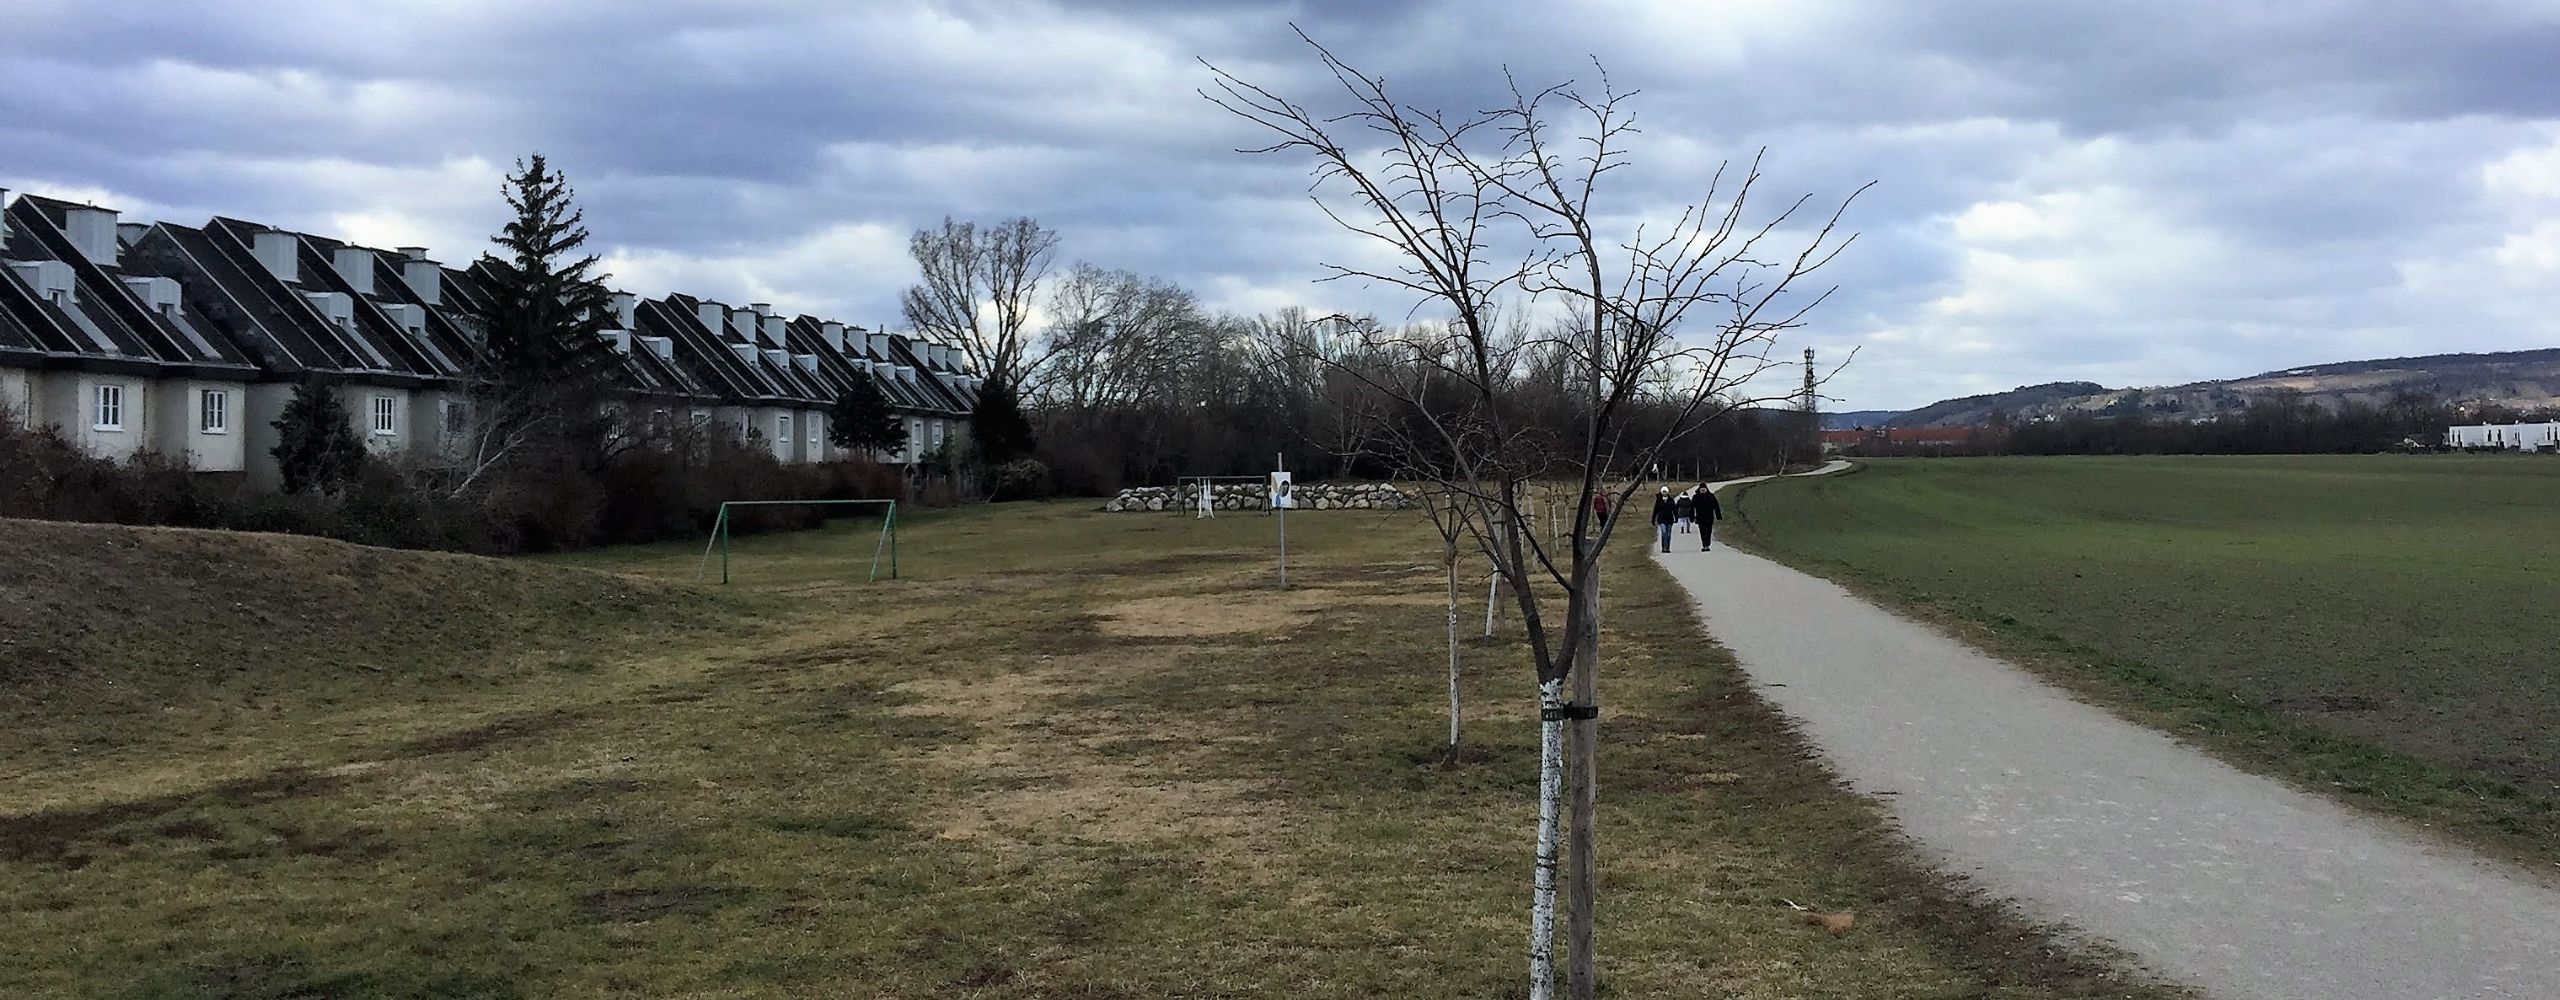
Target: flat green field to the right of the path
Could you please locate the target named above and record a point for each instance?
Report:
(2369, 625)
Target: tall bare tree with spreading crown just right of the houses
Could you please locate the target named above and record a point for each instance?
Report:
(979, 290)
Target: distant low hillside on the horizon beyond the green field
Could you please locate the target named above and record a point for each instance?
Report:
(2513, 380)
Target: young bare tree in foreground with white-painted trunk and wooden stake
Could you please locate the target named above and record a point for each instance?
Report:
(1678, 318)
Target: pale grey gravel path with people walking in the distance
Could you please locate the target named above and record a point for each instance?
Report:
(2226, 881)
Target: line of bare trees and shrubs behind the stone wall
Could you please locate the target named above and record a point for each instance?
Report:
(1133, 382)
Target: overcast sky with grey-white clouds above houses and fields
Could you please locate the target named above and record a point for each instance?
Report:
(2129, 193)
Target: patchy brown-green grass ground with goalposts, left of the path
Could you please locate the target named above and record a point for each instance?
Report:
(1069, 756)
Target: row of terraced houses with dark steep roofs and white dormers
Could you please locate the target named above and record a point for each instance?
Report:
(188, 341)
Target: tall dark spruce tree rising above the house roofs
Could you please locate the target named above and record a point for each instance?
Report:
(549, 303)
